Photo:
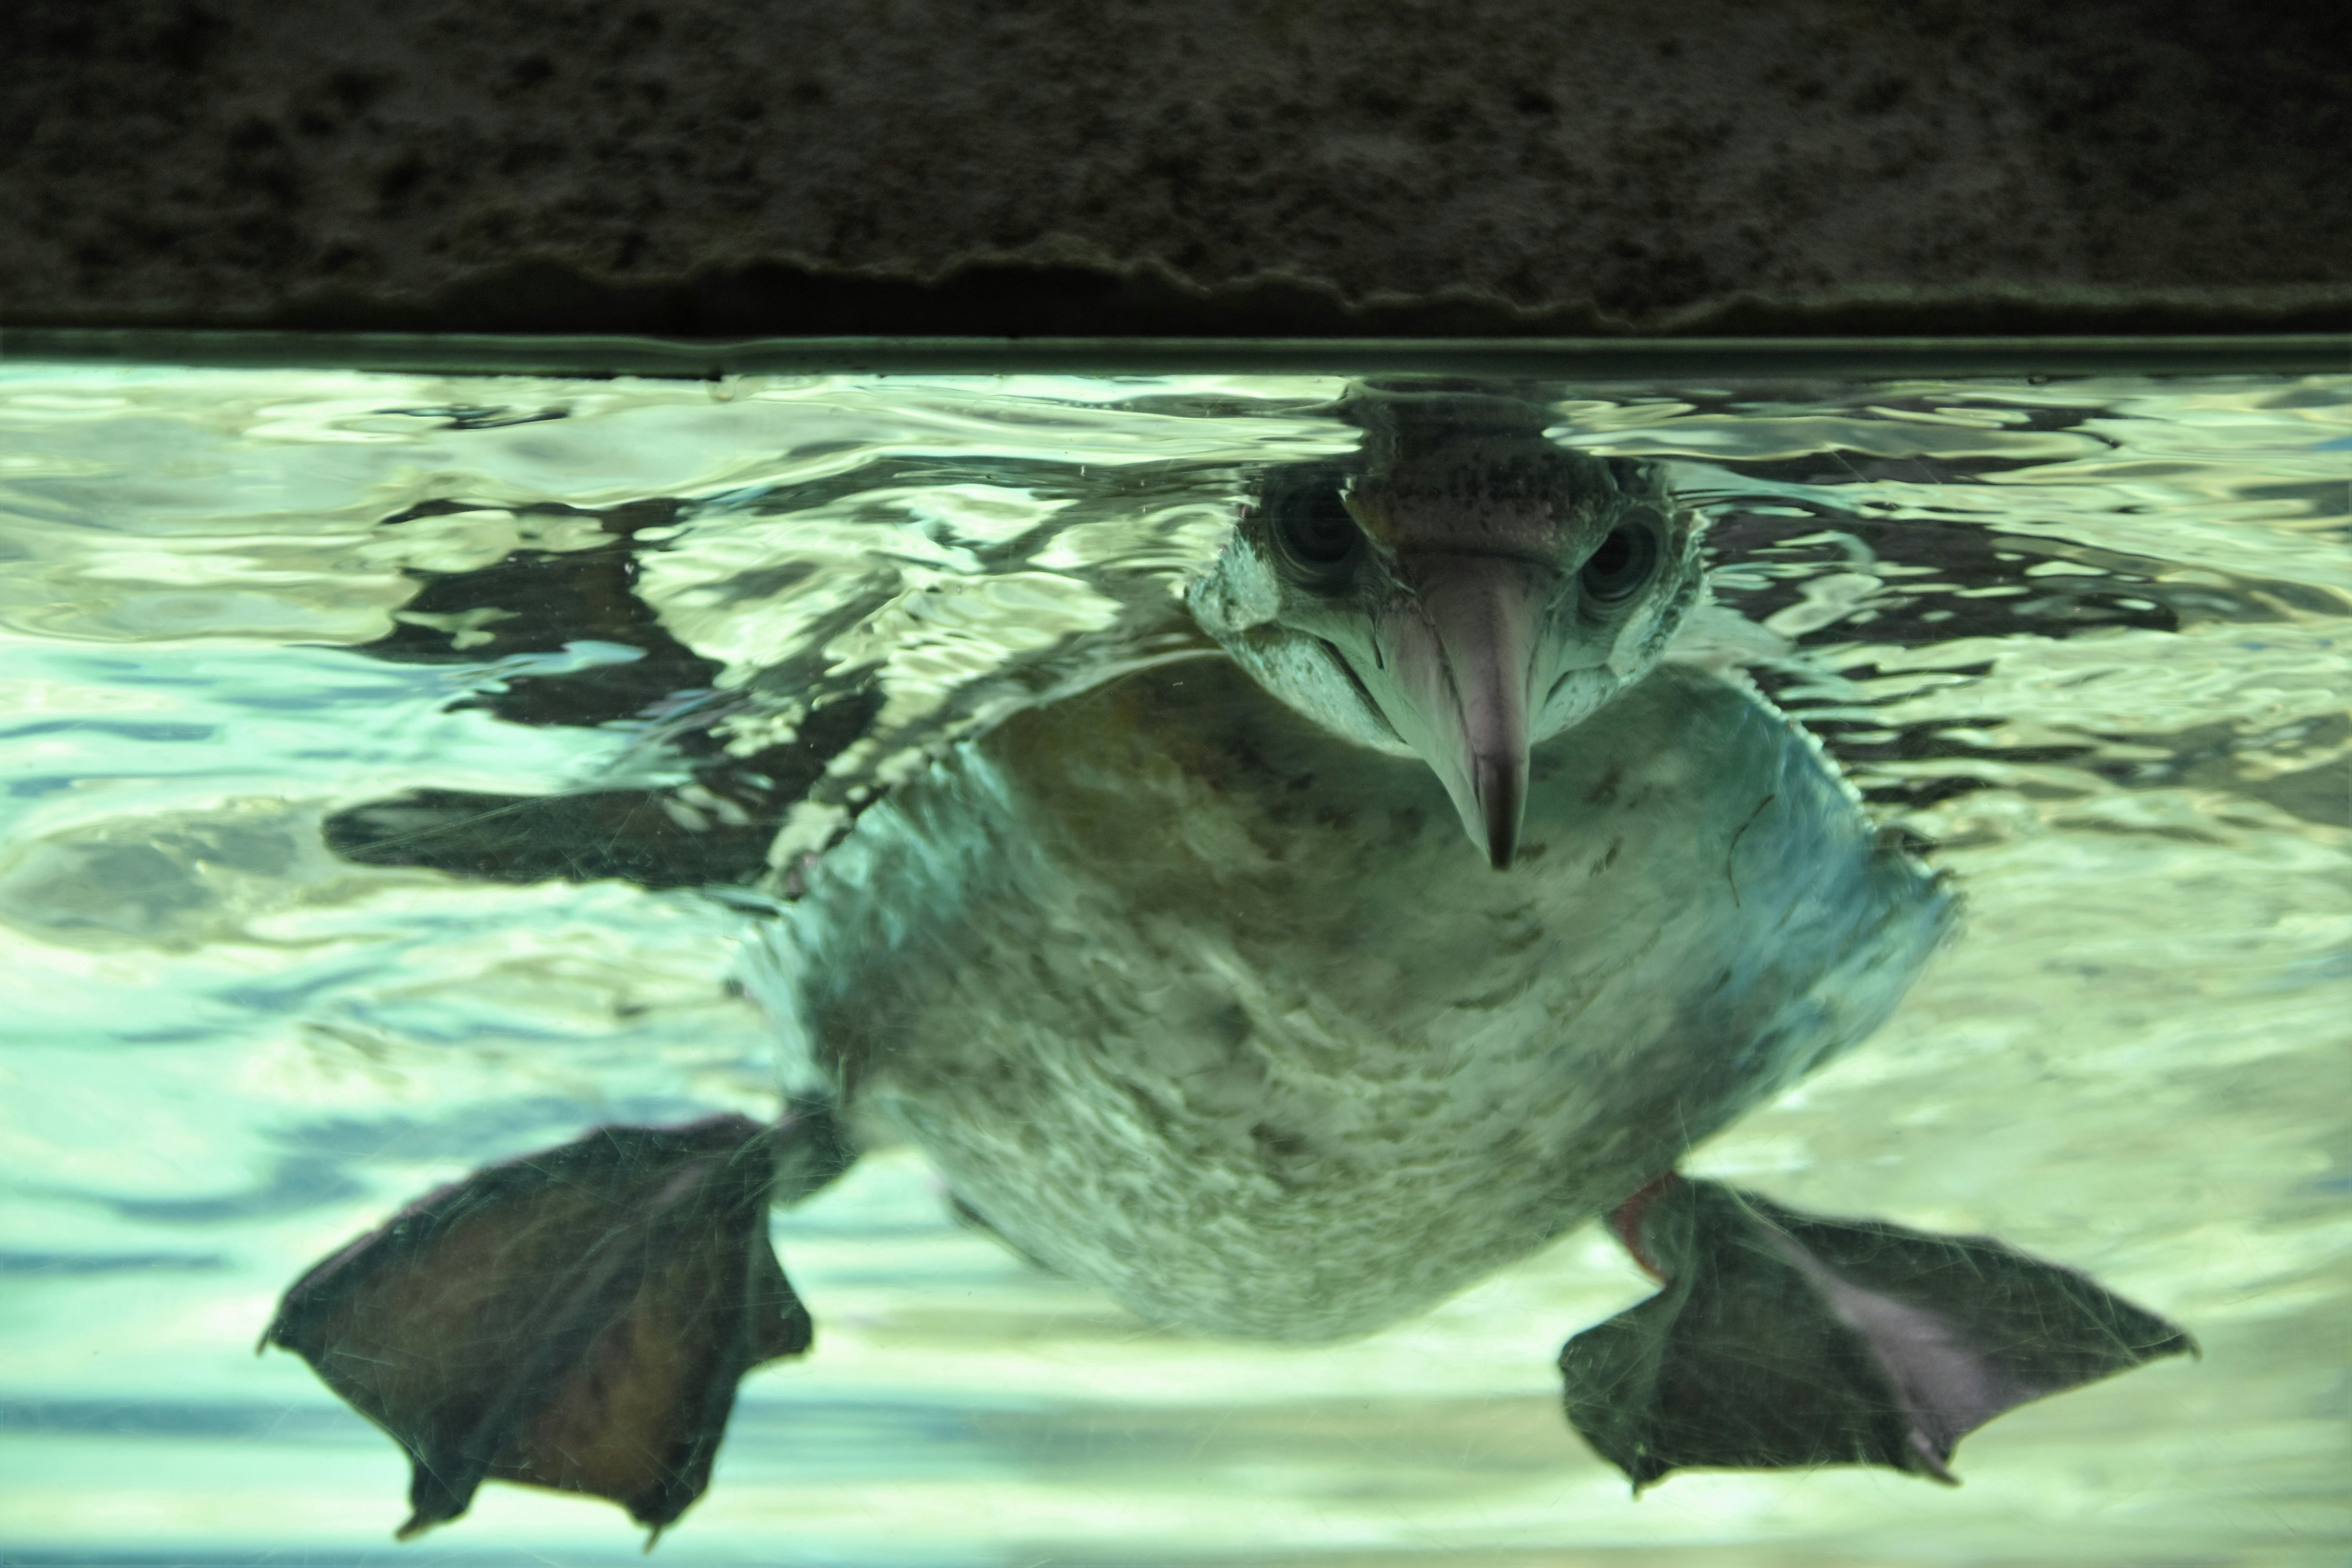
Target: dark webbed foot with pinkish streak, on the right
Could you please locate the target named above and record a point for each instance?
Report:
(1786, 1339)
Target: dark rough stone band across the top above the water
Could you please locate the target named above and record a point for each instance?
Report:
(1215, 166)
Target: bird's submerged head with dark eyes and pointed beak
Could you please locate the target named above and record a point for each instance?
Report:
(1457, 591)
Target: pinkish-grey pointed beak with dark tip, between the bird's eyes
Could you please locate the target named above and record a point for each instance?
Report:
(1462, 659)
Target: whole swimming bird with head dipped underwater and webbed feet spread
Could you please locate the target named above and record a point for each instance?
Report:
(1191, 986)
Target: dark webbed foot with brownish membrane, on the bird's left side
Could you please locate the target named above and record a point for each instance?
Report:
(575, 1318)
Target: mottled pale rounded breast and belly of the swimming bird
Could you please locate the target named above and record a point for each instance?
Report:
(1203, 1003)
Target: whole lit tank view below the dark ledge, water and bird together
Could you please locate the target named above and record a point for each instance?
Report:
(1017, 970)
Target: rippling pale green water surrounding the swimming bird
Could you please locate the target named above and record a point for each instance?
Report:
(2092, 638)
